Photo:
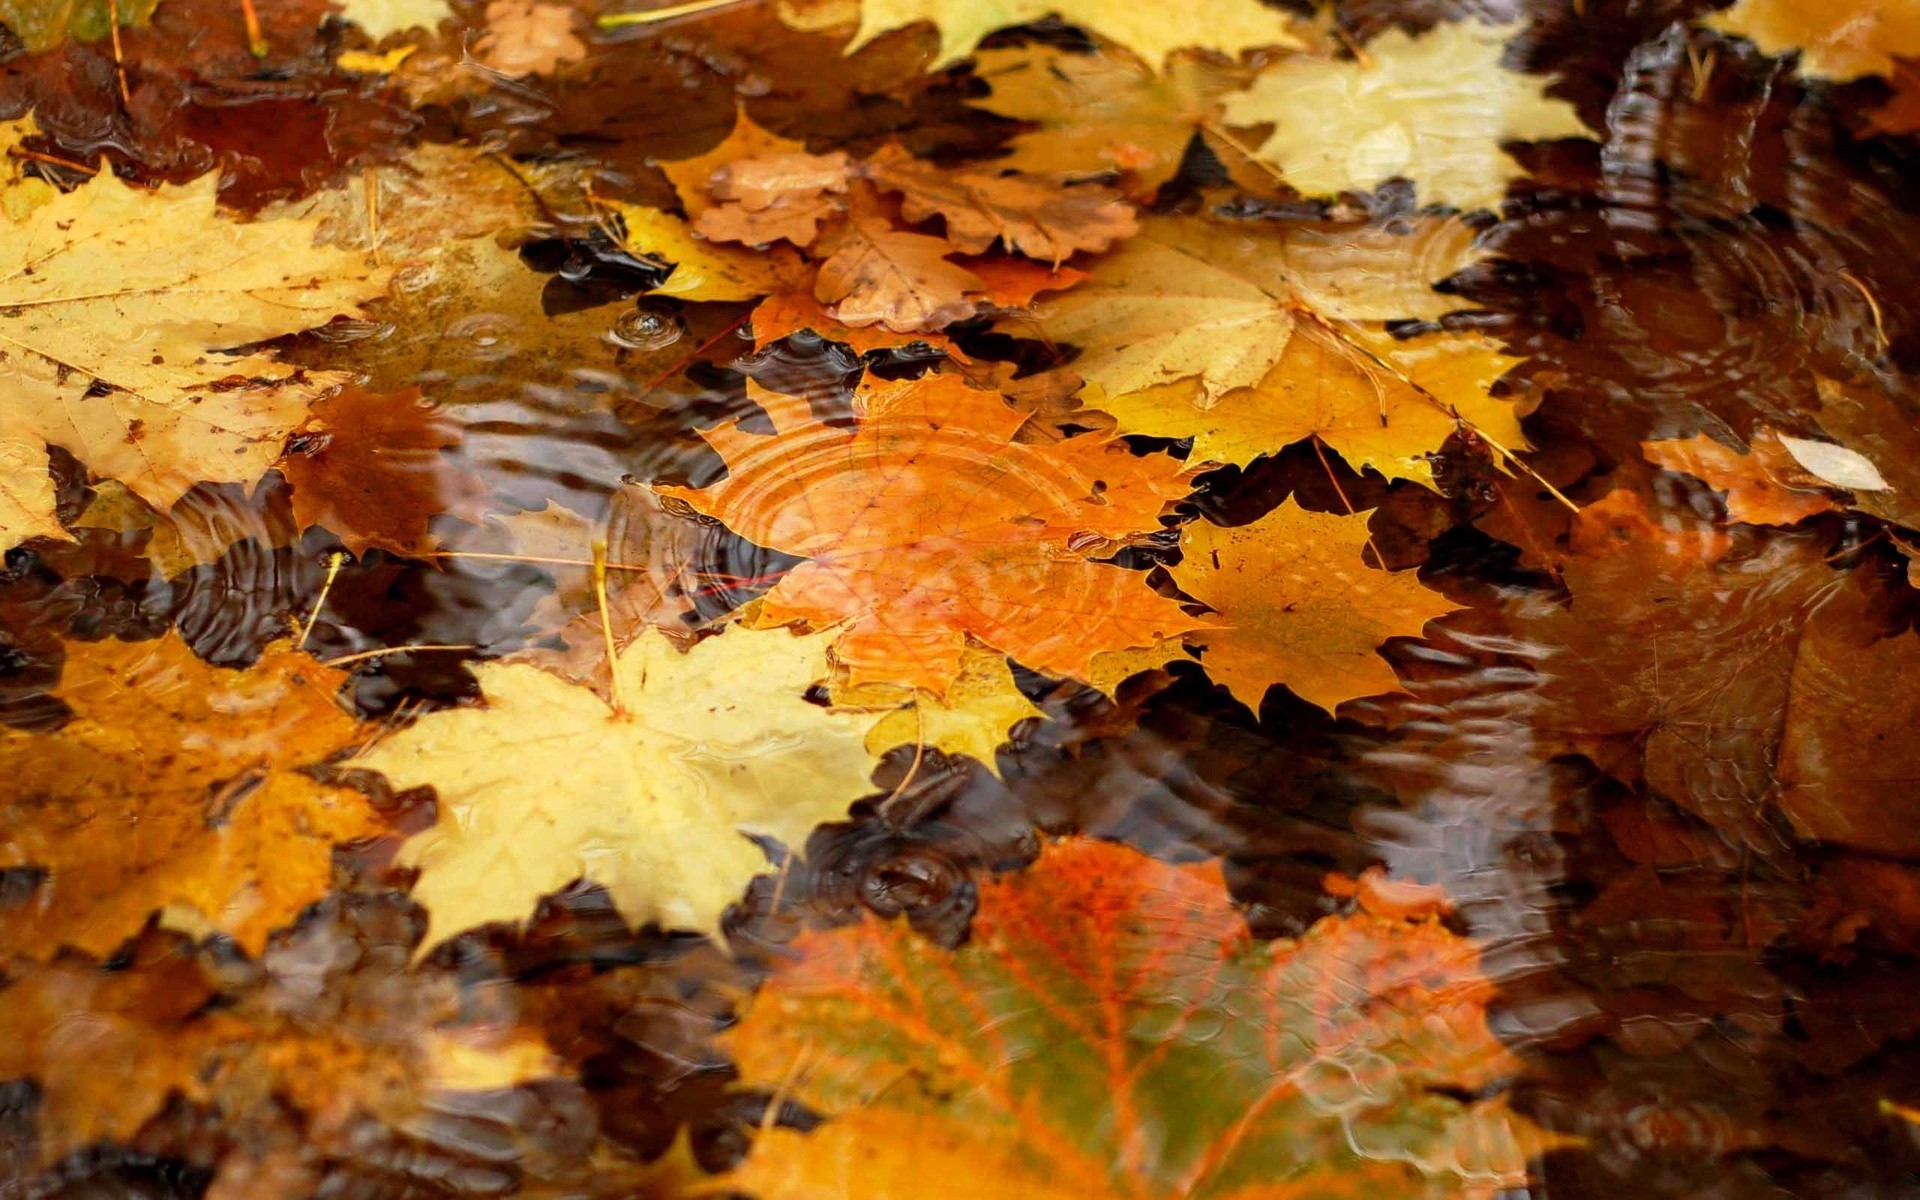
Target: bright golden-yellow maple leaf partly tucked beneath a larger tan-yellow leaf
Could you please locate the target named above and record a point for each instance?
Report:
(1380, 402)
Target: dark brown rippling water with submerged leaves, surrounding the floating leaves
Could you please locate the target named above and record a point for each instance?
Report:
(1691, 871)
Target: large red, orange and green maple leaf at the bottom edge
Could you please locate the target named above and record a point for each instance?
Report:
(1055, 1055)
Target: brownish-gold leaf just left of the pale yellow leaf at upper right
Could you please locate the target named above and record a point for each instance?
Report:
(1101, 112)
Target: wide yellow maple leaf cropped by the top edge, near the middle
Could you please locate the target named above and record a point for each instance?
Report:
(1151, 32)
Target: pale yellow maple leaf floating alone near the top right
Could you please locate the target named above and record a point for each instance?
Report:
(1433, 108)
